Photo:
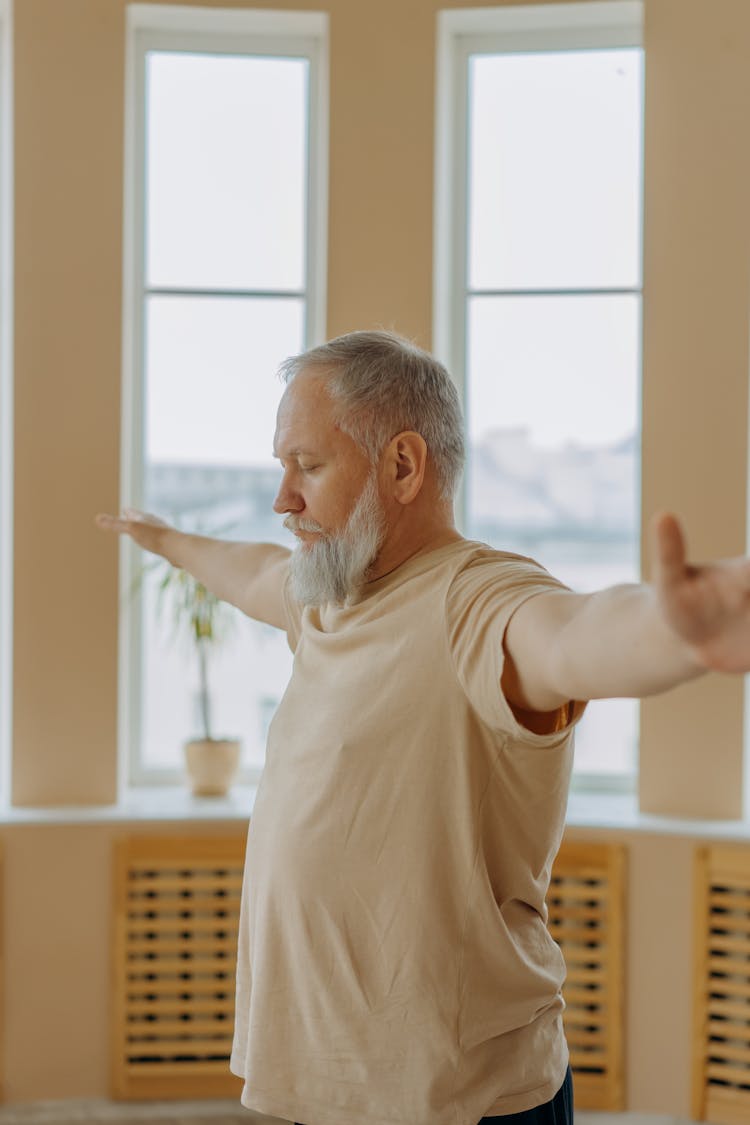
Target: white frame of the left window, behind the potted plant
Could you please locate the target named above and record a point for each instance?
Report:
(254, 32)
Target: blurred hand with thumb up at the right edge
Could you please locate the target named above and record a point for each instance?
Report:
(708, 607)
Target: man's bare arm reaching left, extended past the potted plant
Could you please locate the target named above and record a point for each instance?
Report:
(250, 577)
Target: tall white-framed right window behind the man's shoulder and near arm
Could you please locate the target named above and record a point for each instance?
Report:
(538, 300)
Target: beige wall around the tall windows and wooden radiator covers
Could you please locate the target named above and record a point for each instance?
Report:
(69, 201)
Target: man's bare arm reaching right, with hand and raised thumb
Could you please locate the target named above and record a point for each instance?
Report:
(631, 641)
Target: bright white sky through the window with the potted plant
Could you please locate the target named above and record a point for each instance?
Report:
(225, 210)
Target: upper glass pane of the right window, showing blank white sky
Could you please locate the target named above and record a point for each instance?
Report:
(555, 169)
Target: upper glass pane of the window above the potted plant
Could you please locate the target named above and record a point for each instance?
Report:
(227, 172)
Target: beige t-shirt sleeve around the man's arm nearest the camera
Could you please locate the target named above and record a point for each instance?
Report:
(481, 602)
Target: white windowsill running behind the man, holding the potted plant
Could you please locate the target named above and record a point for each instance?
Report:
(603, 812)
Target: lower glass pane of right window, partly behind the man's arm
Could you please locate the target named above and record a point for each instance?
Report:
(554, 457)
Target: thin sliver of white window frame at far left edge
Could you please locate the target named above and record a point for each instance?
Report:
(6, 400)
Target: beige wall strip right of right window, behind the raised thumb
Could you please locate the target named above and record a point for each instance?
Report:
(695, 358)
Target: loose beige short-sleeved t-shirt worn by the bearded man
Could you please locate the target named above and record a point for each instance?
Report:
(394, 962)
